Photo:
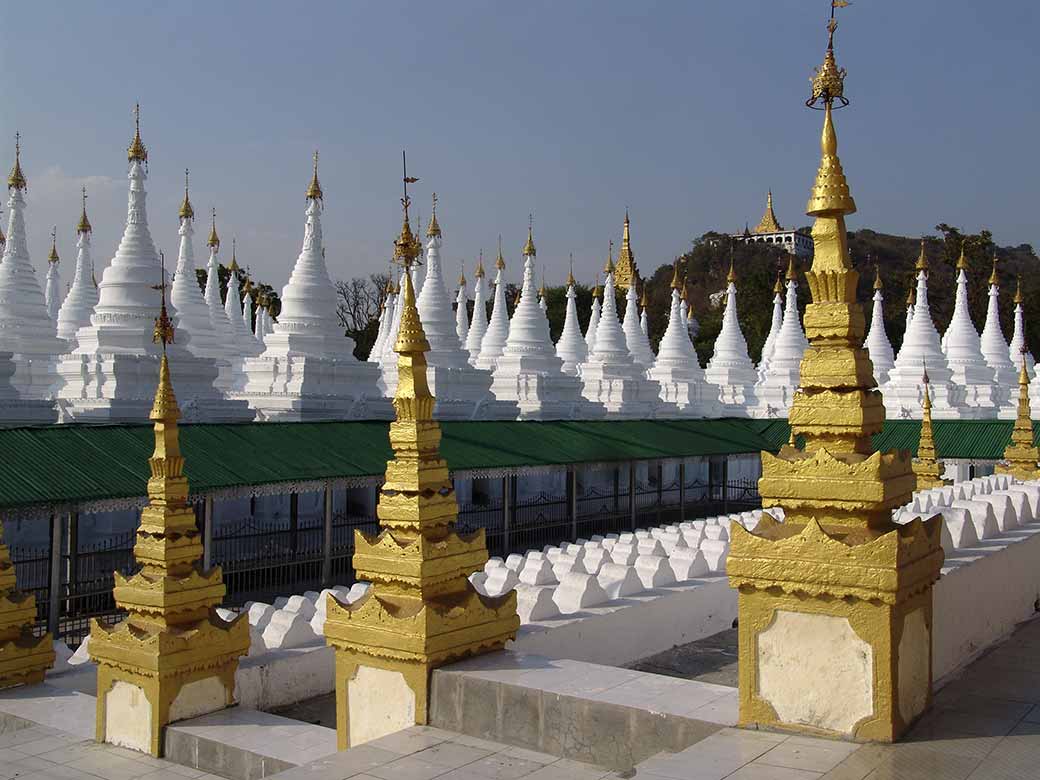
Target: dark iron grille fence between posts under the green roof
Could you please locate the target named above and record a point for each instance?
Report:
(264, 560)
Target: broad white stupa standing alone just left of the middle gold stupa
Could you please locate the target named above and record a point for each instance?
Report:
(307, 371)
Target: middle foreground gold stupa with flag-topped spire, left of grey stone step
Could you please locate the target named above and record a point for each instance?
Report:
(422, 611)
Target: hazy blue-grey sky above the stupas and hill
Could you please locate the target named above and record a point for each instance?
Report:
(684, 112)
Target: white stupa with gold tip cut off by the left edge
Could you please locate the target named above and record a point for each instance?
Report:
(28, 330)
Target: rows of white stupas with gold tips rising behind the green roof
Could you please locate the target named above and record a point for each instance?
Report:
(92, 358)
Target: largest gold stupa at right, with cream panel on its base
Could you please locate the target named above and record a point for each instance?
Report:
(836, 603)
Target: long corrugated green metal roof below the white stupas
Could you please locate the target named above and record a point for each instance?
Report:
(69, 464)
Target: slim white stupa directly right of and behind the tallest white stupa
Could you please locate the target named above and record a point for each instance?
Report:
(193, 314)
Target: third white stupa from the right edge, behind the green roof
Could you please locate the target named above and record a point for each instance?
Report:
(963, 347)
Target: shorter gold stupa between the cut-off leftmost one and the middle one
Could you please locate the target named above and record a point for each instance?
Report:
(174, 657)
